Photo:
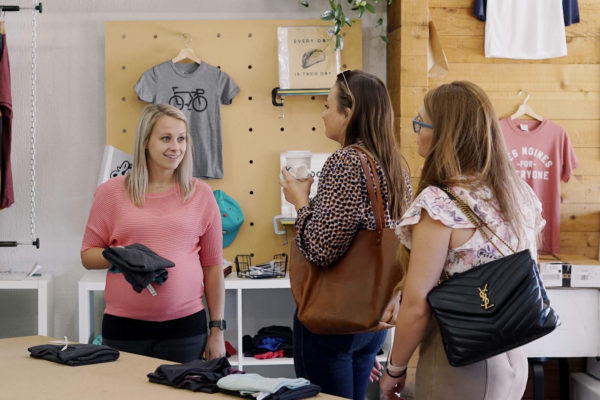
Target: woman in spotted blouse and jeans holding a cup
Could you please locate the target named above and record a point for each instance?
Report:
(358, 111)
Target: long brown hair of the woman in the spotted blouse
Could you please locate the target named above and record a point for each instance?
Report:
(372, 122)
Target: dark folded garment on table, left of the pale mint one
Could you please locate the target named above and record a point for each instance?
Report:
(197, 375)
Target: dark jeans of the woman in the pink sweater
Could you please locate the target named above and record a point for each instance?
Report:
(179, 350)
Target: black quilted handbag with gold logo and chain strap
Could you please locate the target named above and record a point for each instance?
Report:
(493, 307)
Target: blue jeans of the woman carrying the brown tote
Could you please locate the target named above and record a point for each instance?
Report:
(340, 364)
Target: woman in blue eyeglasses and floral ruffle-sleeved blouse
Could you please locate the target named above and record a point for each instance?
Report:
(463, 147)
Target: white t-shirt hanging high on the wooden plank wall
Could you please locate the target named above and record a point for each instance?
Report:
(525, 29)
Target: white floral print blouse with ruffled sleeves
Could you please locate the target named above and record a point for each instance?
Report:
(477, 250)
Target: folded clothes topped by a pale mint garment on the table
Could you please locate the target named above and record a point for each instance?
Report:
(257, 386)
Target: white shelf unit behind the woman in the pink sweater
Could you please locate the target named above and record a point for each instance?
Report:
(237, 319)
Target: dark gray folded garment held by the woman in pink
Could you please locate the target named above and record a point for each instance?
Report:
(139, 265)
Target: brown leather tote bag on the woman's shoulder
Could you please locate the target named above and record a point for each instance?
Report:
(359, 292)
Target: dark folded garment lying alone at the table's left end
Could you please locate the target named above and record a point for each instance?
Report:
(75, 354)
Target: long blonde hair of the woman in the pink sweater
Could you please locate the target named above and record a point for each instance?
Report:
(136, 183)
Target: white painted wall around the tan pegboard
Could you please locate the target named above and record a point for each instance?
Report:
(71, 128)
